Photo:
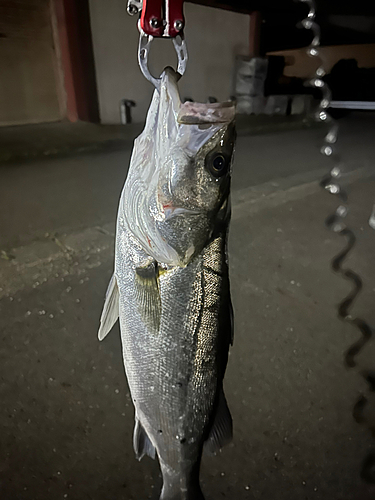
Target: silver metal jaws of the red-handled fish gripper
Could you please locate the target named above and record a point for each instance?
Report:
(144, 49)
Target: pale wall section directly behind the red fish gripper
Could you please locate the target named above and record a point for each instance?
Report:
(213, 36)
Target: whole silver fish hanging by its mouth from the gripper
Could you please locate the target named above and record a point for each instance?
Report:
(170, 286)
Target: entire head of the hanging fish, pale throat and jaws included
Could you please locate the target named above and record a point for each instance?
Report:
(177, 192)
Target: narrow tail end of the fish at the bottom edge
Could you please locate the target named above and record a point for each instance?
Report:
(181, 486)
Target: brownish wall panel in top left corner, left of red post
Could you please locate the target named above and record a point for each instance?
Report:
(29, 79)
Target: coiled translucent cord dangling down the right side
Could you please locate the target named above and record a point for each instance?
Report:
(336, 222)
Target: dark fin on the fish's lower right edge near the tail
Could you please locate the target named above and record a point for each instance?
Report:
(221, 432)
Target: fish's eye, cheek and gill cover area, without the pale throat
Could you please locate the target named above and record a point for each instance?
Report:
(194, 187)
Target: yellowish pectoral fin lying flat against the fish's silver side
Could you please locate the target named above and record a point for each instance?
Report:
(148, 296)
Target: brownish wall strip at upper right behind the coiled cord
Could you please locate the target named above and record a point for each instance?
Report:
(303, 66)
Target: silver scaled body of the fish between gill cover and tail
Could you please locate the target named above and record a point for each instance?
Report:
(174, 375)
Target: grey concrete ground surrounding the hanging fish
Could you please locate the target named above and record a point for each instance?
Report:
(67, 419)
